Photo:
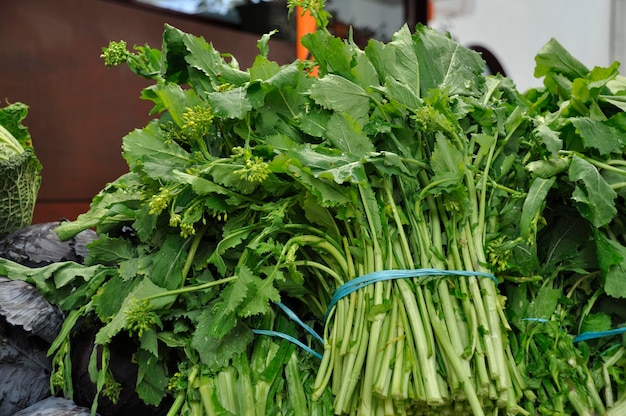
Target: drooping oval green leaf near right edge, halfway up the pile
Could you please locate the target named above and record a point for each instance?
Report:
(594, 197)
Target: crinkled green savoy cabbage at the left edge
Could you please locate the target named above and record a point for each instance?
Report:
(19, 170)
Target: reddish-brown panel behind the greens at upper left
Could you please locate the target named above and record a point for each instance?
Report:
(79, 109)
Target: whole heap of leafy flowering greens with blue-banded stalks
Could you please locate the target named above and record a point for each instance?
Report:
(458, 245)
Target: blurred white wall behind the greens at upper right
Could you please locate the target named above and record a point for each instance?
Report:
(515, 30)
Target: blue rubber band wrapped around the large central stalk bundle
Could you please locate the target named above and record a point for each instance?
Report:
(383, 275)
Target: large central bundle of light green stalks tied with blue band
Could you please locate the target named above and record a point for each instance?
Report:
(436, 337)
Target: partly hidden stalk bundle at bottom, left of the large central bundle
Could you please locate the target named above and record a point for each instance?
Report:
(271, 377)
